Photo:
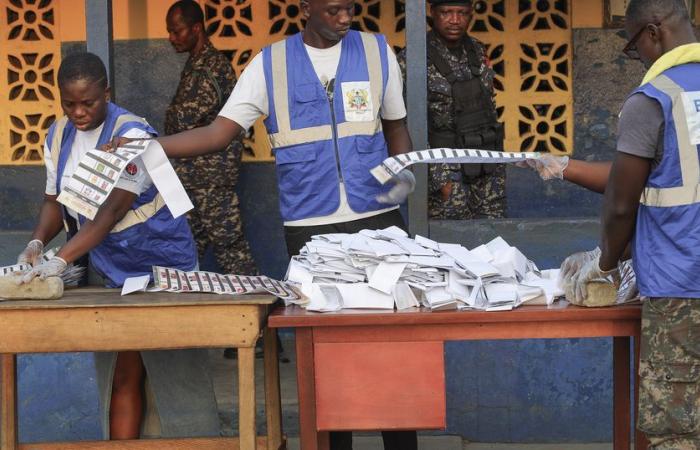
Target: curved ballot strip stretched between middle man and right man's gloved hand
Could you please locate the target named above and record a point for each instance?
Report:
(395, 164)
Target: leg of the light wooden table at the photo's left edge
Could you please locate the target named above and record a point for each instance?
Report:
(8, 402)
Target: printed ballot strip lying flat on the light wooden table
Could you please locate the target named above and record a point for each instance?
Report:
(174, 280)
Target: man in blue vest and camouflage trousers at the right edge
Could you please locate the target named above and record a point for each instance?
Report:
(652, 202)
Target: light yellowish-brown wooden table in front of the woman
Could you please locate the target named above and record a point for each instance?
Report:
(91, 319)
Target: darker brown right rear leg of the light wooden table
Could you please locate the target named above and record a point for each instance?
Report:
(273, 410)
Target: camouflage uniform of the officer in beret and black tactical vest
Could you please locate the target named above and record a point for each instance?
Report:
(484, 196)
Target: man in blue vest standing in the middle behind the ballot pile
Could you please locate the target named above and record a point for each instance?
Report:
(334, 106)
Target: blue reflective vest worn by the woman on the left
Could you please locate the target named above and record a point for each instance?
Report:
(148, 234)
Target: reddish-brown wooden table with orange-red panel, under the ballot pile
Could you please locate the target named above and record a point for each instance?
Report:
(391, 369)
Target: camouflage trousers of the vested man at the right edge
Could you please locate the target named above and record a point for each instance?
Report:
(669, 389)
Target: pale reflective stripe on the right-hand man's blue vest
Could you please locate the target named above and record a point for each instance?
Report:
(689, 192)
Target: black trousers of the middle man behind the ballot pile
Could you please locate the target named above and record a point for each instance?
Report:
(296, 238)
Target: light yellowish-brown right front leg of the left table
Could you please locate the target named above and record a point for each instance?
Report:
(246, 398)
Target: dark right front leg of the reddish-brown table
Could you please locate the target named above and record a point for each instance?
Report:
(621, 393)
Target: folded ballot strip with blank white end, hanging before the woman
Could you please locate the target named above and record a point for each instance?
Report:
(98, 173)
